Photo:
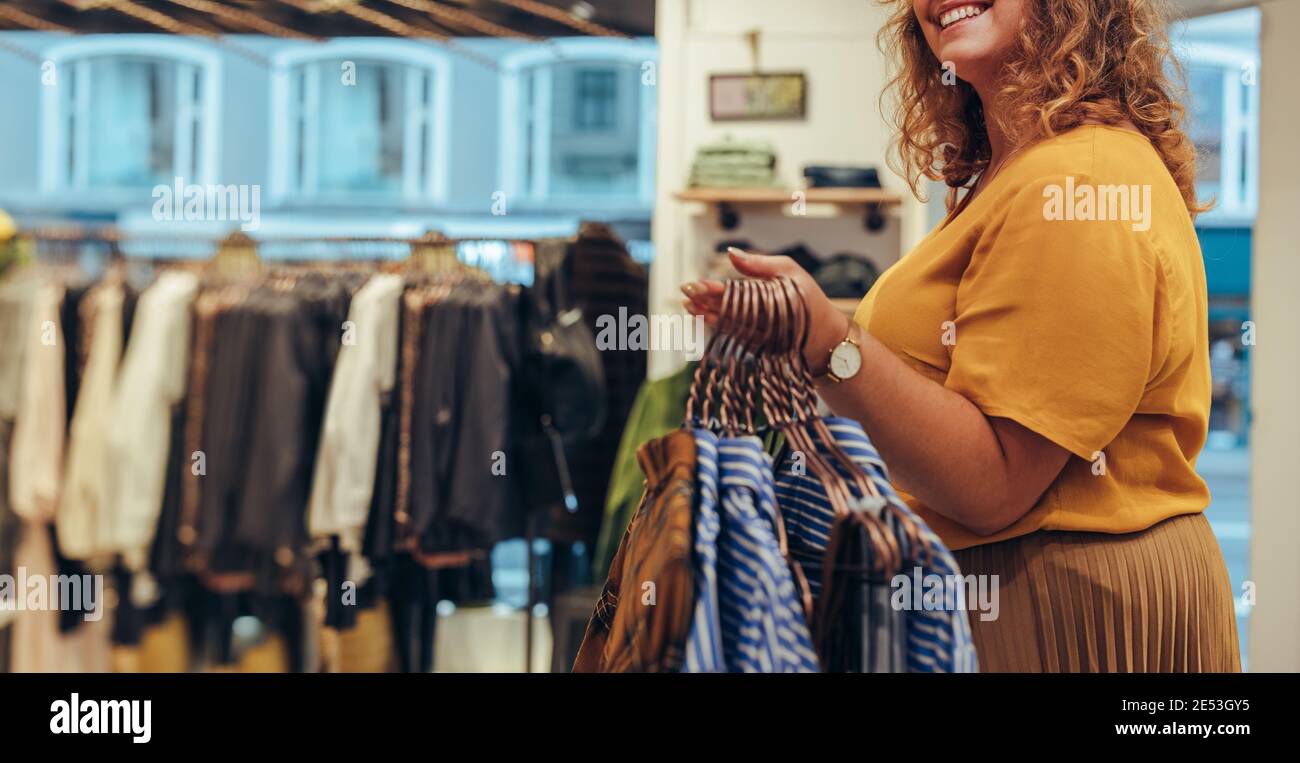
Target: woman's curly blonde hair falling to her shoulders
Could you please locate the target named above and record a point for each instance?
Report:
(1074, 62)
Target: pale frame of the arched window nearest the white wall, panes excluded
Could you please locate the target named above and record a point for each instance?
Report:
(514, 123)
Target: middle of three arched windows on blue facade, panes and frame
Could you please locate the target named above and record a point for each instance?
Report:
(357, 119)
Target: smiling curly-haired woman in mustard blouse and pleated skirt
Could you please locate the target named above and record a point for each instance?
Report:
(1037, 371)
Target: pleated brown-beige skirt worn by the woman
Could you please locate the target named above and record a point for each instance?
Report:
(1156, 601)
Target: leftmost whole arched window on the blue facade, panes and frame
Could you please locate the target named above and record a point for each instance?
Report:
(129, 112)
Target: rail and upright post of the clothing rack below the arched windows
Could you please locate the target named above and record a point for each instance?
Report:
(111, 244)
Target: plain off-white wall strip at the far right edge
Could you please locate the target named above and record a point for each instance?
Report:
(1276, 374)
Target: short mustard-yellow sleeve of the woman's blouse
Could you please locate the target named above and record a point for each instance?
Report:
(1056, 320)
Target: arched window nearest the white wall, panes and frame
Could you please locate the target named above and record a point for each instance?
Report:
(579, 124)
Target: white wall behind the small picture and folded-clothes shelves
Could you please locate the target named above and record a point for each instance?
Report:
(834, 44)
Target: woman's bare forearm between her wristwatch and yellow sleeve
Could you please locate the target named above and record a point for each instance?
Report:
(941, 446)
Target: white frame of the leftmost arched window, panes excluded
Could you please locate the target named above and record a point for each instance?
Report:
(205, 157)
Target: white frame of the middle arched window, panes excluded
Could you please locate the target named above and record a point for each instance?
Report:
(432, 188)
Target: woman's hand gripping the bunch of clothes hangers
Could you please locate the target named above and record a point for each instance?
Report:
(827, 327)
